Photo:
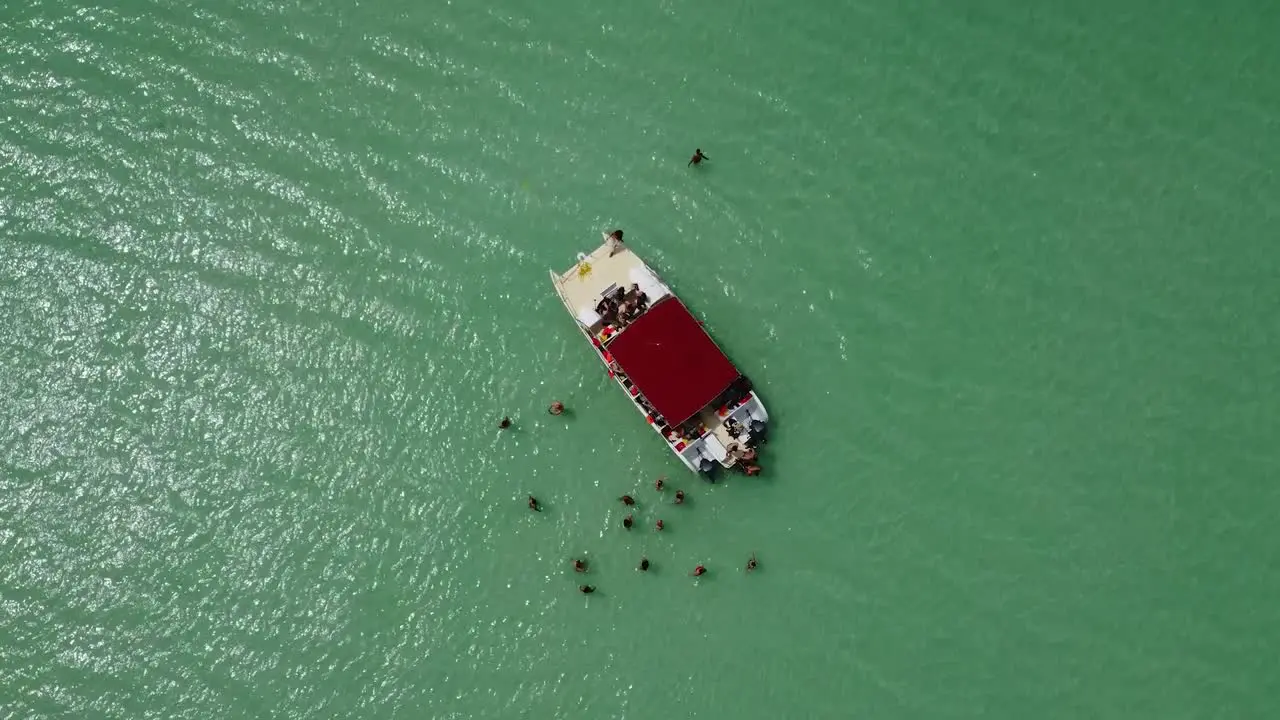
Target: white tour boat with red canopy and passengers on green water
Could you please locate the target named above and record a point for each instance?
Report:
(668, 366)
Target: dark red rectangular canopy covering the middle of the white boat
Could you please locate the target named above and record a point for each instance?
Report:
(673, 361)
